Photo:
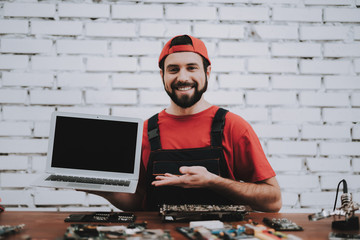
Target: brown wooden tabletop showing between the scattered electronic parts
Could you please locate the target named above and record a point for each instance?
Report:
(51, 225)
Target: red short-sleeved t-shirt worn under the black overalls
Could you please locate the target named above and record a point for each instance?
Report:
(242, 149)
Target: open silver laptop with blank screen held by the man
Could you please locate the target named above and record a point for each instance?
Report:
(93, 152)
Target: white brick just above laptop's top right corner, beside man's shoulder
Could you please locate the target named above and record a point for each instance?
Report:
(141, 112)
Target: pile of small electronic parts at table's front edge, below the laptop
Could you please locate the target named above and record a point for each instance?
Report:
(133, 231)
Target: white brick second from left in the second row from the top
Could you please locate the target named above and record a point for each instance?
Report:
(72, 28)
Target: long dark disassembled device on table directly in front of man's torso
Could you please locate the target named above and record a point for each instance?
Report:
(197, 212)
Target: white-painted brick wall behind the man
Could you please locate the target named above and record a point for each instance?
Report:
(290, 68)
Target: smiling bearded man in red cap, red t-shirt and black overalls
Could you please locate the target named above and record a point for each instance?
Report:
(195, 152)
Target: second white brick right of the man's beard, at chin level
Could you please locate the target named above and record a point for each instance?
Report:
(271, 98)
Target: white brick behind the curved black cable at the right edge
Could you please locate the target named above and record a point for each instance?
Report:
(330, 182)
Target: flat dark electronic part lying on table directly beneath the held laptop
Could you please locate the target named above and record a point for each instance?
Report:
(110, 217)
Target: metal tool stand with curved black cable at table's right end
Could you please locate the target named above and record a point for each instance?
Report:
(347, 210)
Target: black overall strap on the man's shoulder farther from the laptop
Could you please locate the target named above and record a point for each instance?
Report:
(218, 127)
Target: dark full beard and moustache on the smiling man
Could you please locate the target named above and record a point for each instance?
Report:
(186, 101)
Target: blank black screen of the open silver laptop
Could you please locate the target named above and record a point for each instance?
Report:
(94, 144)
